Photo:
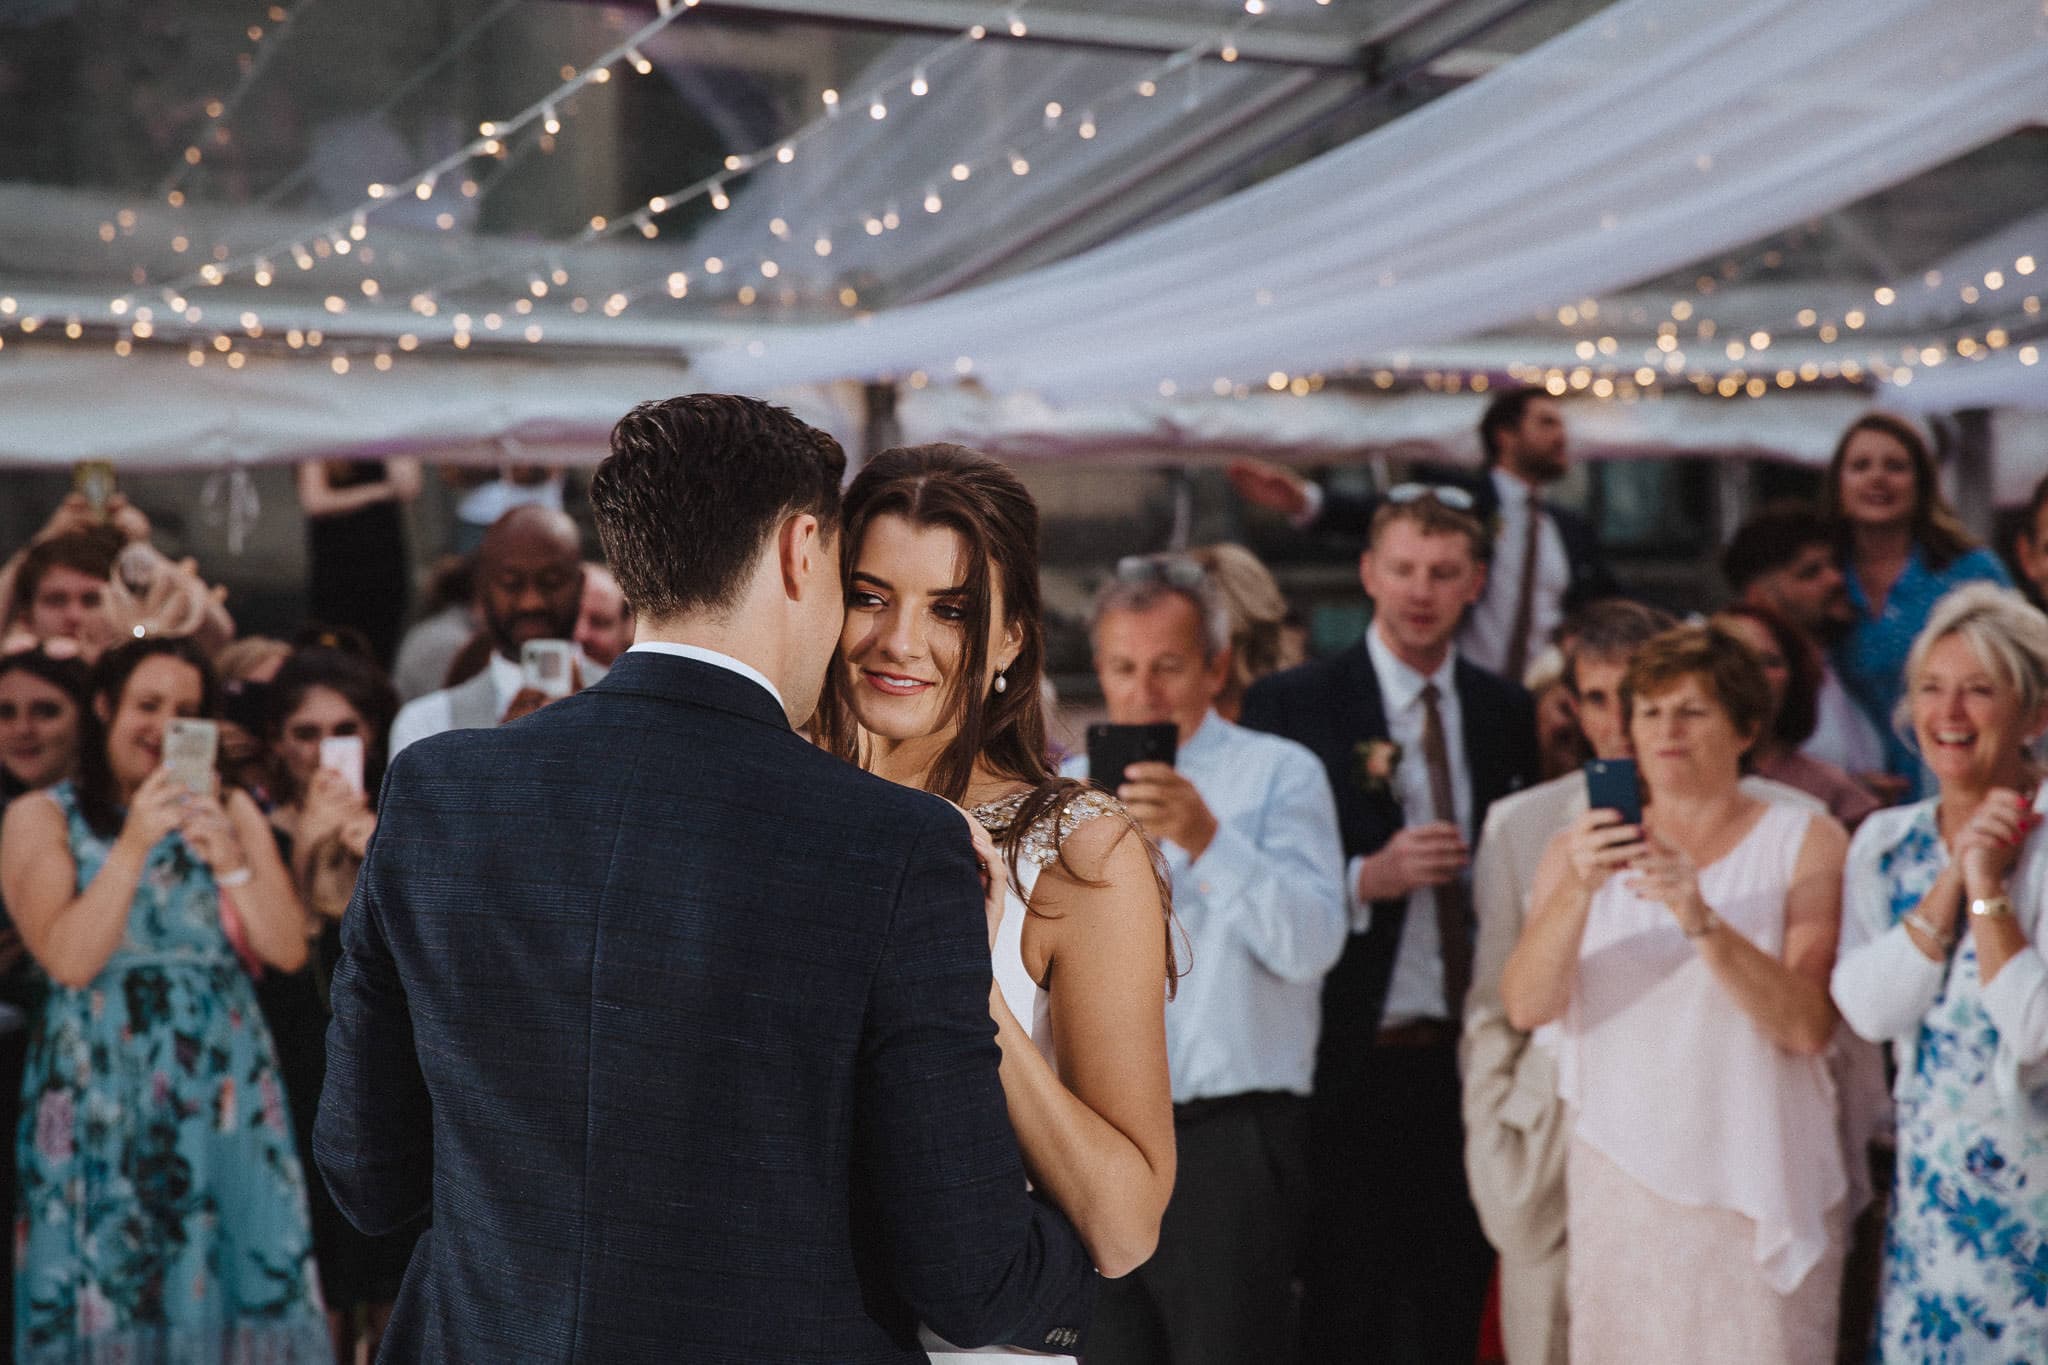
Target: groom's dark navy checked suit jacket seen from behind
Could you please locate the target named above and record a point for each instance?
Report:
(681, 1030)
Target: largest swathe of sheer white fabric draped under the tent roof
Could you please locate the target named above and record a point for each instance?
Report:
(1644, 140)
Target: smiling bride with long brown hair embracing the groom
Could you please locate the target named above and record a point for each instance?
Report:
(937, 687)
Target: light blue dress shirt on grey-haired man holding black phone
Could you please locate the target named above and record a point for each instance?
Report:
(1263, 914)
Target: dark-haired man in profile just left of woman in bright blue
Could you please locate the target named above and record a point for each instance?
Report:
(1785, 562)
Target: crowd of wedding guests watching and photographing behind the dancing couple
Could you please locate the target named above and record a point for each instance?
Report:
(1742, 1061)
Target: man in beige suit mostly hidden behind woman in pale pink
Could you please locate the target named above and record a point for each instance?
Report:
(1517, 1129)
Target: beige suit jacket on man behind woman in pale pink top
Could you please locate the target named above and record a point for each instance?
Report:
(1514, 1125)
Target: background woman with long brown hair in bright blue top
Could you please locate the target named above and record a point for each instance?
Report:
(1902, 549)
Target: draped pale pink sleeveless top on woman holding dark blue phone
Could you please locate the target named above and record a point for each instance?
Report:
(1678, 1088)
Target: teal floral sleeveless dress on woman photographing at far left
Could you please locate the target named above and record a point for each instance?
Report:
(163, 1208)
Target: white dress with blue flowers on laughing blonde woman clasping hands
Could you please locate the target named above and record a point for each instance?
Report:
(1967, 1243)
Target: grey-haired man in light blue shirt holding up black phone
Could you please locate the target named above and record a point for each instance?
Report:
(1250, 834)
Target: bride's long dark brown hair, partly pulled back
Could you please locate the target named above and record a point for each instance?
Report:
(996, 521)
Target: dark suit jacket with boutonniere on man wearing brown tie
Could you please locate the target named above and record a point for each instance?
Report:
(1334, 707)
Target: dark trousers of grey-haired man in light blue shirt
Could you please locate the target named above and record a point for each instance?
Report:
(1222, 1286)
